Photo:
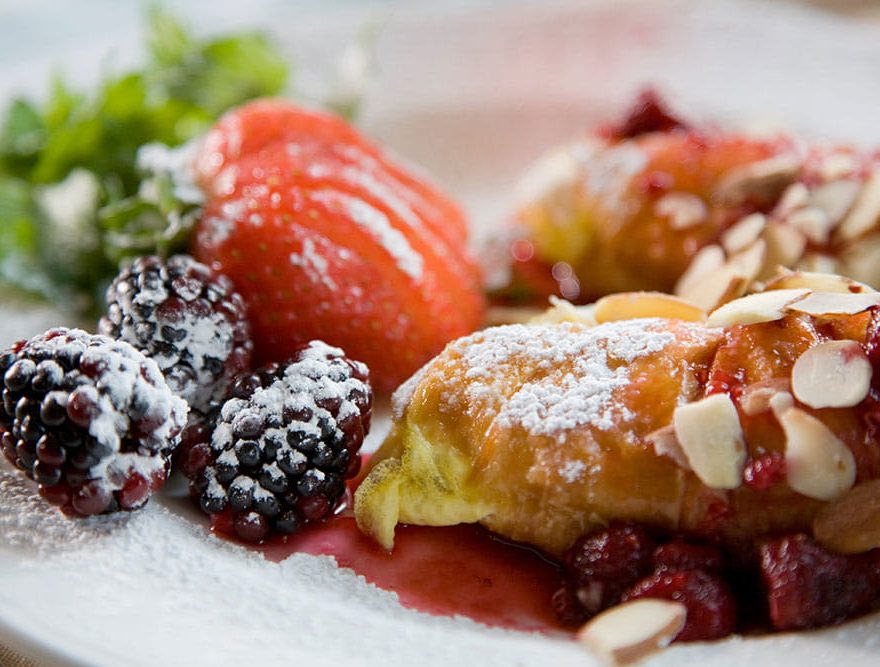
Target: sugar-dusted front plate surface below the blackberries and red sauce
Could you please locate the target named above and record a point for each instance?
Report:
(158, 581)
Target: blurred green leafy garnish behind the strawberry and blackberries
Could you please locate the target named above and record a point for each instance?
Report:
(73, 200)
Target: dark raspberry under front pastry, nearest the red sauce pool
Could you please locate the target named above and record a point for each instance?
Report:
(600, 566)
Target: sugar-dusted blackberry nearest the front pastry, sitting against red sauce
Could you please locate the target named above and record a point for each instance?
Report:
(284, 444)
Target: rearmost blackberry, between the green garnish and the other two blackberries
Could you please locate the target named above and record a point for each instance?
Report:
(187, 318)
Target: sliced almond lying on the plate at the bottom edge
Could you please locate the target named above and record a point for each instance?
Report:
(633, 630)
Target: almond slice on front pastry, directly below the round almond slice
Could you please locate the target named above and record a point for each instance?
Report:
(817, 463)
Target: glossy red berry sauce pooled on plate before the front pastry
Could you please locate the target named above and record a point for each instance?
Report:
(457, 570)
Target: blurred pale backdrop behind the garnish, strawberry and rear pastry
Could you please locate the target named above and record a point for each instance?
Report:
(475, 90)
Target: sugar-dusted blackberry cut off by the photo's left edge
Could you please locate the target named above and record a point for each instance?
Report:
(90, 419)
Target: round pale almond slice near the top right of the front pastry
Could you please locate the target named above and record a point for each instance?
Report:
(833, 374)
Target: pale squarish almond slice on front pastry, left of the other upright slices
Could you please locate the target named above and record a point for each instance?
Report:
(711, 437)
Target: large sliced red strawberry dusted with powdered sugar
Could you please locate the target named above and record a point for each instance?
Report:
(326, 238)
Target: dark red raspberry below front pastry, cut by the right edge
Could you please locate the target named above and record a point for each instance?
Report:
(807, 586)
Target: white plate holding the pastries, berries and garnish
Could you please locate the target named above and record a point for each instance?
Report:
(473, 95)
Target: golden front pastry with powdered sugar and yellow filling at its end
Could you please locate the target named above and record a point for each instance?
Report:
(540, 432)
